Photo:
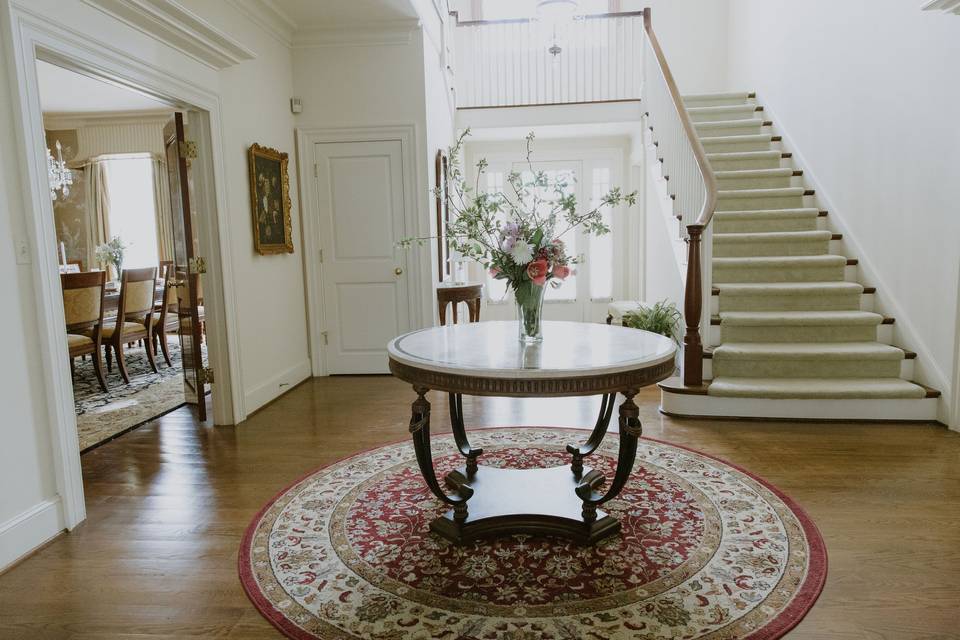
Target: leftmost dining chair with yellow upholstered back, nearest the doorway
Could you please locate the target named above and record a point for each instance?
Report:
(83, 312)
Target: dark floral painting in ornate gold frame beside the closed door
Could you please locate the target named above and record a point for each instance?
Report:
(270, 200)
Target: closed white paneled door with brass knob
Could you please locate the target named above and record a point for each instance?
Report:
(364, 274)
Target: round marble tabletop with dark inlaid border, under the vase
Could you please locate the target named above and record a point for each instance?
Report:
(493, 350)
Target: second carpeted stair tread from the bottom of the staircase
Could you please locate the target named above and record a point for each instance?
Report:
(810, 351)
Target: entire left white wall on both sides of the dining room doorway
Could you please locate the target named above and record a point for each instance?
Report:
(269, 291)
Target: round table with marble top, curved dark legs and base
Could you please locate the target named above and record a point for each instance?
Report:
(487, 359)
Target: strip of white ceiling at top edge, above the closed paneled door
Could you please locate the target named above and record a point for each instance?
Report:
(312, 13)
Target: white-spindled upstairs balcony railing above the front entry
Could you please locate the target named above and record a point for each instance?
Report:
(507, 63)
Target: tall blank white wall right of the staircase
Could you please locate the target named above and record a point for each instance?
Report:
(866, 92)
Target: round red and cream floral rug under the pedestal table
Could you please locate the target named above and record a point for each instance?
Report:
(706, 551)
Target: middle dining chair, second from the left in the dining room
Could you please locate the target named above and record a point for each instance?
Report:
(134, 318)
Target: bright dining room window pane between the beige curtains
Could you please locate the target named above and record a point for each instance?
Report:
(132, 214)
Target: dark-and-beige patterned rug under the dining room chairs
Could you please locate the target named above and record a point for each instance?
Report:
(102, 416)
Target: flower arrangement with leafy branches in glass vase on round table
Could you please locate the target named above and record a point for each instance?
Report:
(518, 234)
